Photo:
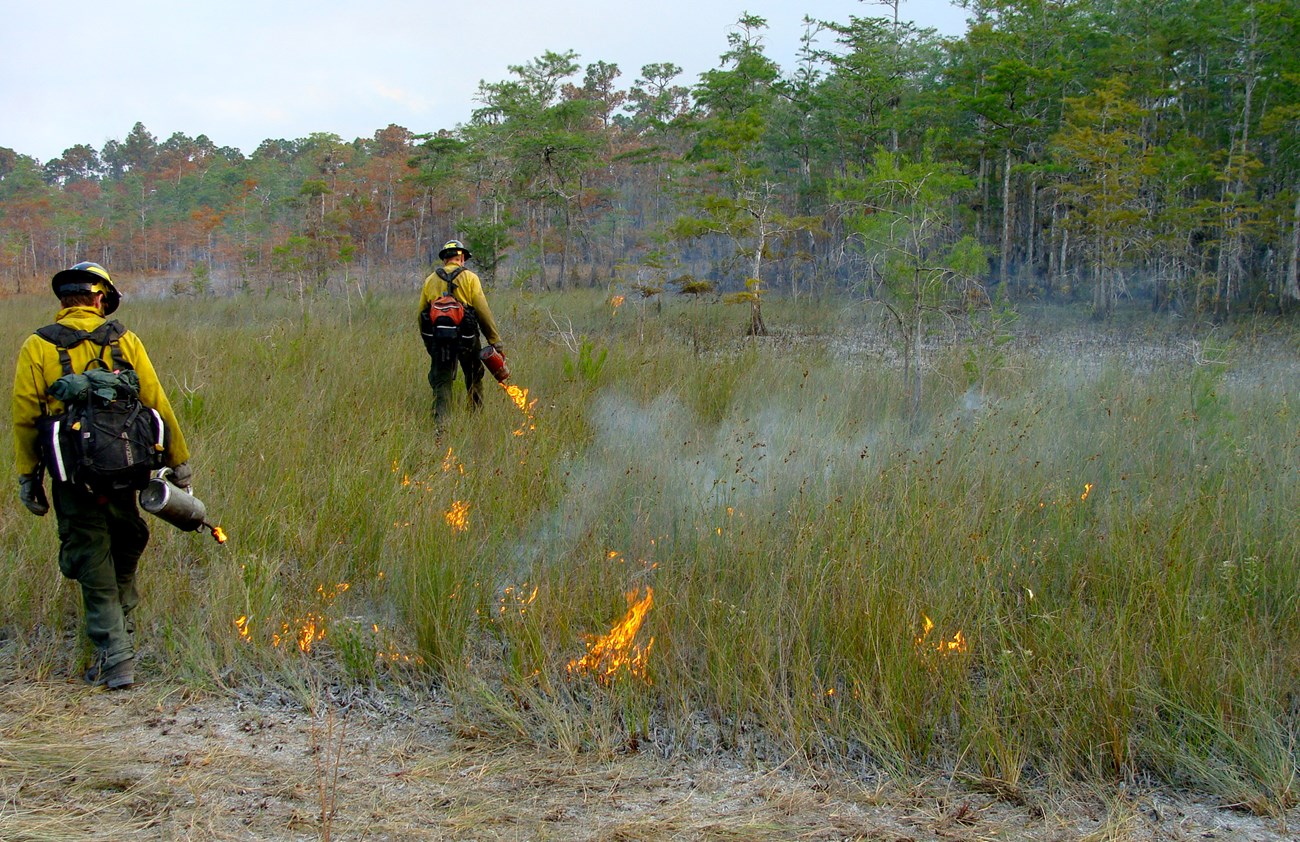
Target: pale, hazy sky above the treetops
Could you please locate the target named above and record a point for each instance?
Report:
(245, 71)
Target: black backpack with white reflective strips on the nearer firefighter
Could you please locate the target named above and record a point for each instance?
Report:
(106, 439)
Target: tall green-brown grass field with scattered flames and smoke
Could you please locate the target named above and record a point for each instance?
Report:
(1107, 554)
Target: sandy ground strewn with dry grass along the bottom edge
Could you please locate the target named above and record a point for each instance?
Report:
(162, 763)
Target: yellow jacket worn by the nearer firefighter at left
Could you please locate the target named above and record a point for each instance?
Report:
(40, 367)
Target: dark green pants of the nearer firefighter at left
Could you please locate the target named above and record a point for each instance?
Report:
(101, 542)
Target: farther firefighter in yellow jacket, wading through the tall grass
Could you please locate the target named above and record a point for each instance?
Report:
(444, 361)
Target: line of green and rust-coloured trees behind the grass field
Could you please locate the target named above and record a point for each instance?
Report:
(1068, 150)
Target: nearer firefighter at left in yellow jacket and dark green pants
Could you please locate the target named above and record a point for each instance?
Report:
(102, 535)
